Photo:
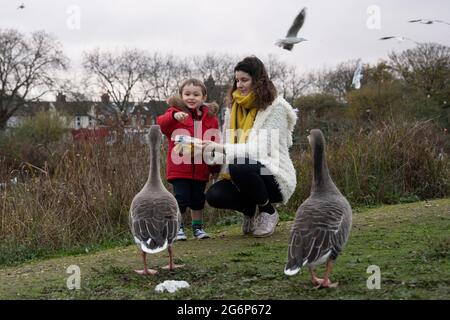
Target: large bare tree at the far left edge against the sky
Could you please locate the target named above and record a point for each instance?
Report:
(28, 67)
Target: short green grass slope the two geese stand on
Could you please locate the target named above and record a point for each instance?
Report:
(409, 242)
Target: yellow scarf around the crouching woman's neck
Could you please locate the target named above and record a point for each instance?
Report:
(243, 114)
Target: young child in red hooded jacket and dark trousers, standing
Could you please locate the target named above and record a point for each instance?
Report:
(189, 178)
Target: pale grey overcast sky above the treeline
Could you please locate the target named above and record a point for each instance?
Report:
(336, 30)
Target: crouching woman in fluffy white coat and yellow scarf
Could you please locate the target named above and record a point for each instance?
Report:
(257, 135)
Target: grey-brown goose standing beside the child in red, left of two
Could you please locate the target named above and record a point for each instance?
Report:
(154, 213)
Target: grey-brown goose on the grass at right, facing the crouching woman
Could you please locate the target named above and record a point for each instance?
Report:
(322, 223)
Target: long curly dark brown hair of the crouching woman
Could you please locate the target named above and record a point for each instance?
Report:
(262, 86)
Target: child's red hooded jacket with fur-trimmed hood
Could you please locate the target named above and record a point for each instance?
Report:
(171, 127)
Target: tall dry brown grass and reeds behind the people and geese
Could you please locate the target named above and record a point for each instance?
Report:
(65, 196)
